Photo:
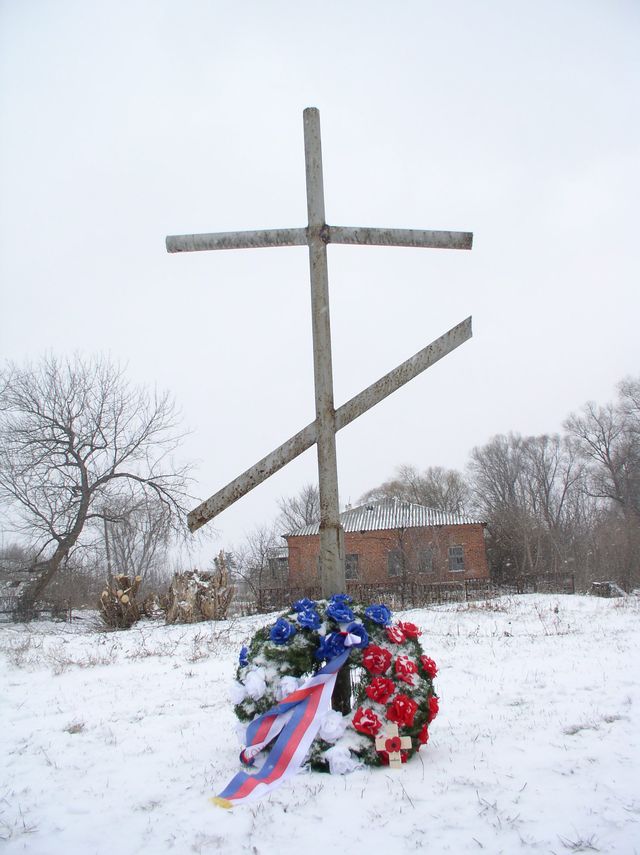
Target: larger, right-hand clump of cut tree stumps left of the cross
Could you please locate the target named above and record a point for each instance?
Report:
(195, 596)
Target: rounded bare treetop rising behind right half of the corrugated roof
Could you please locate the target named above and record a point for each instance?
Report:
(436, 487)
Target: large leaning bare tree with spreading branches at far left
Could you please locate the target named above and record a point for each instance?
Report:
(76, 440)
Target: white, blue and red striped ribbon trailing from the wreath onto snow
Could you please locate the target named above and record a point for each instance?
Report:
(295, 721)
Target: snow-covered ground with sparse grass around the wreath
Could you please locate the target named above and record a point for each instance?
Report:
(114, 742)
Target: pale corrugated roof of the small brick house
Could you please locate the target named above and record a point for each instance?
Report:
(389, 514)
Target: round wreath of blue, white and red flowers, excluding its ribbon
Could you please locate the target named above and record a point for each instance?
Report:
(391, 678)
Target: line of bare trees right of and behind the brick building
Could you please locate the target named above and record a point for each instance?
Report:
(554, 504)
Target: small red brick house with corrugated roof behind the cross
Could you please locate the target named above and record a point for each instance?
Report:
(390, 539)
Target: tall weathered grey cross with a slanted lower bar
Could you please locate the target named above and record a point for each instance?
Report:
(328, 420)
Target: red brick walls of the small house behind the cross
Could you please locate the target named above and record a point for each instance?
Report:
(409, 547)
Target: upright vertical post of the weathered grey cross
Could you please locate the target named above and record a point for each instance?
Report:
(332, 576)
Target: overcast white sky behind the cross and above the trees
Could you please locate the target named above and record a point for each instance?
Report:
(125, 121)
